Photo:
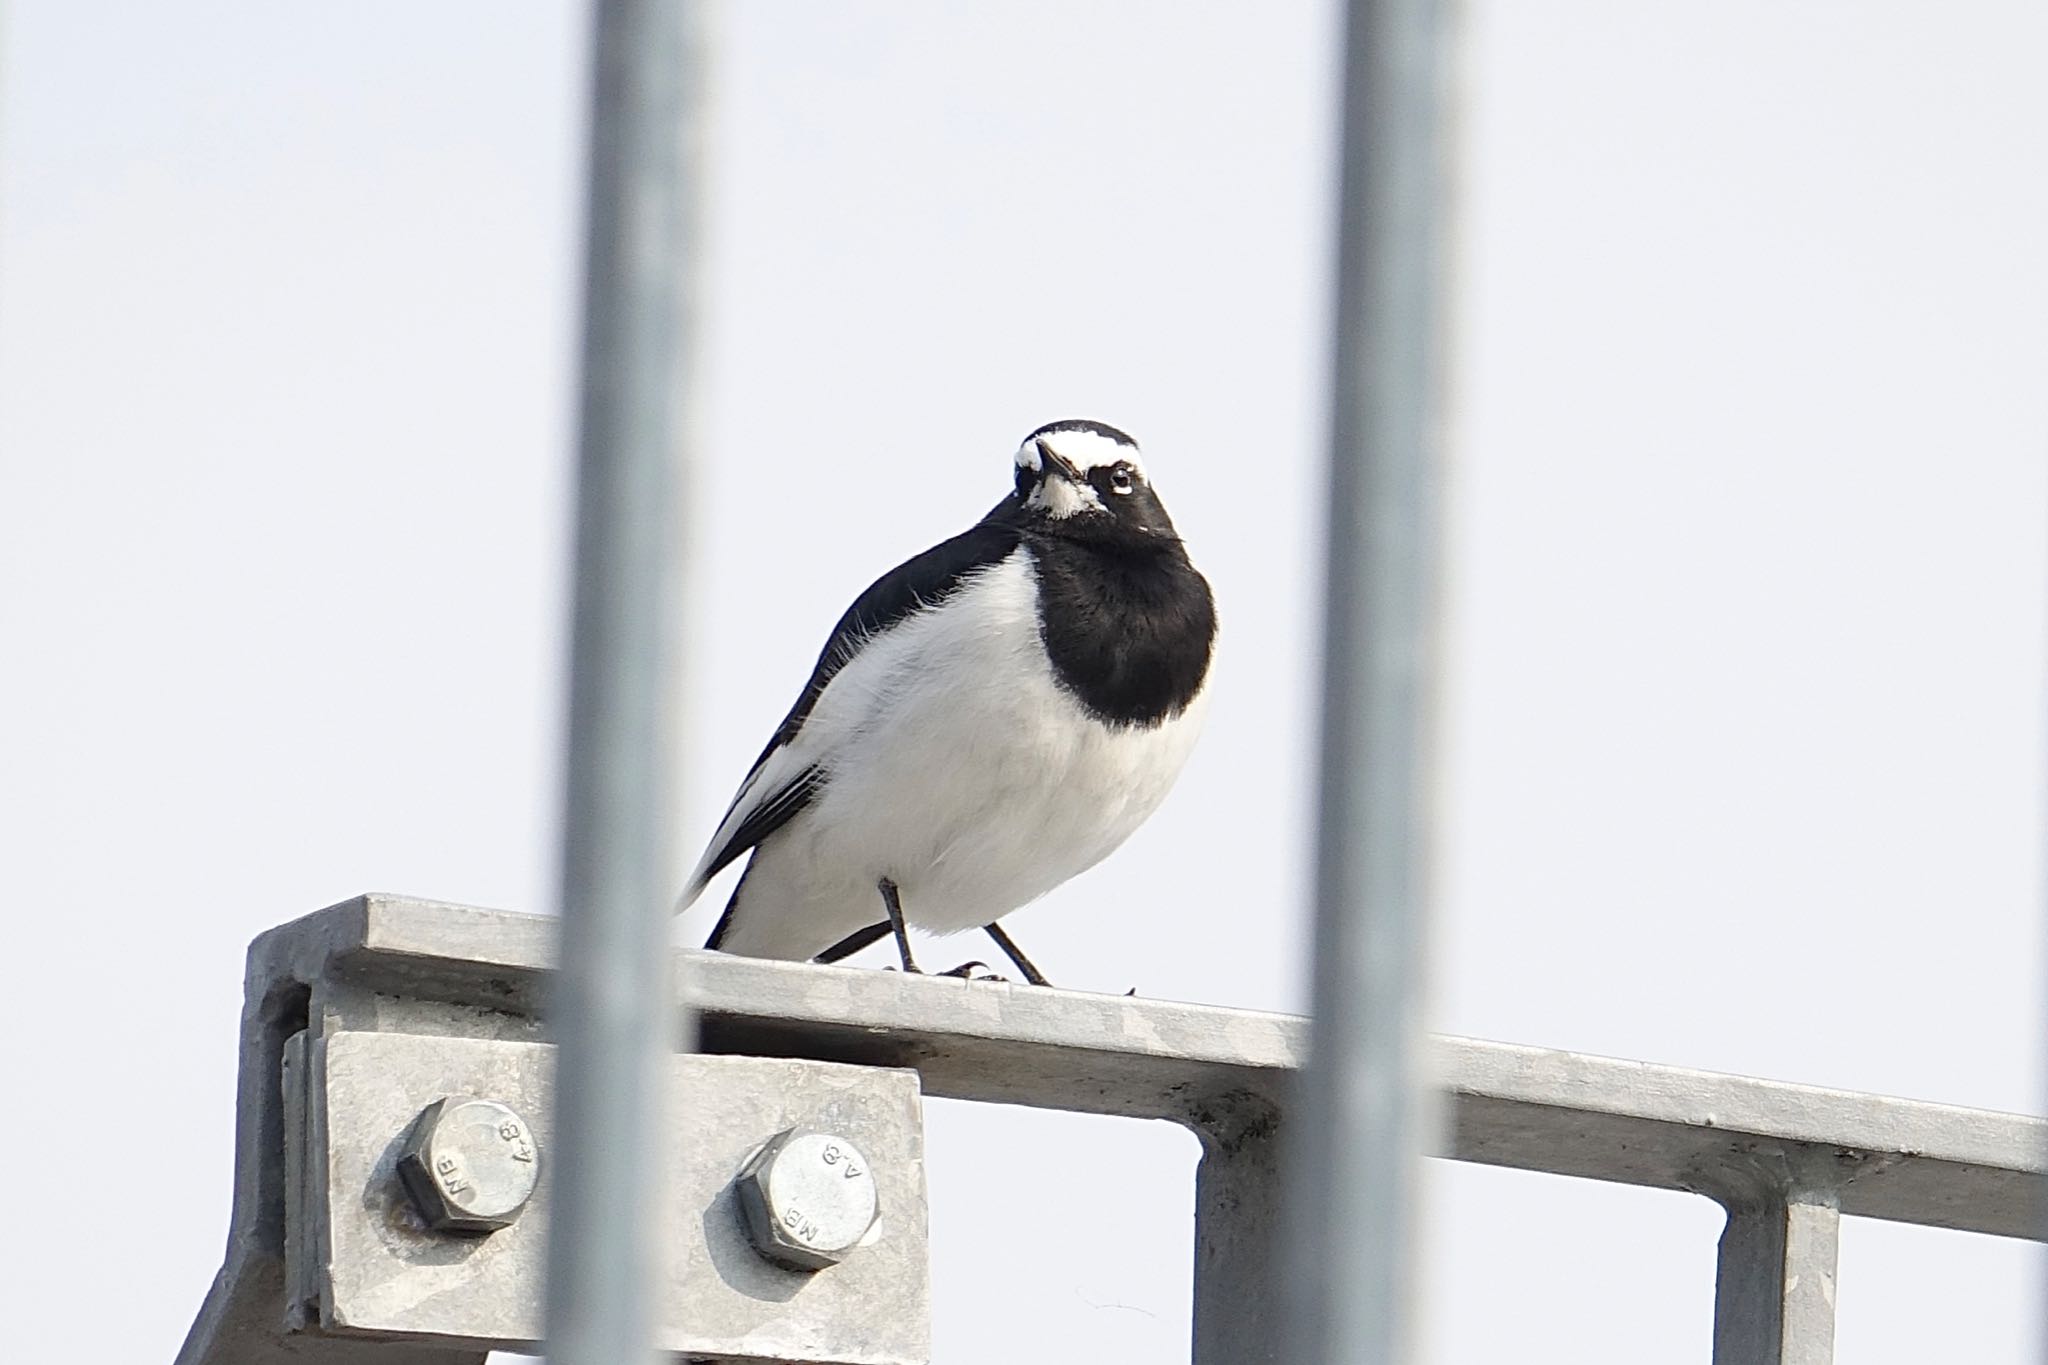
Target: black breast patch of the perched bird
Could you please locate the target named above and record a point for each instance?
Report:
(1129, 631)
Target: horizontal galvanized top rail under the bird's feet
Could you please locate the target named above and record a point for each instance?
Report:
(1228, 1071)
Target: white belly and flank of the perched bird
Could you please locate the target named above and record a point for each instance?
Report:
(972, 799)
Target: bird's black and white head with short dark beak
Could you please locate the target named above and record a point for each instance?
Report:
(1089, 480)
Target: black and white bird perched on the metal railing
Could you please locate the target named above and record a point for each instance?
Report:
(986, 721)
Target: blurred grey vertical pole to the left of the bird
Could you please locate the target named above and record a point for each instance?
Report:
(613, 996)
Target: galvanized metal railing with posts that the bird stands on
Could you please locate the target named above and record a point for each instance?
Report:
(1787, 1161)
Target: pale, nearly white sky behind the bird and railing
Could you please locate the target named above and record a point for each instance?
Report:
(1750, 535)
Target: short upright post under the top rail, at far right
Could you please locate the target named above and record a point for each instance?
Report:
(1775, 1288)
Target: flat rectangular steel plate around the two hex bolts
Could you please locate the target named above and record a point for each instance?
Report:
(384, 1274)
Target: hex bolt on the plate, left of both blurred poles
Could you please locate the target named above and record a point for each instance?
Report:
(470, 1165)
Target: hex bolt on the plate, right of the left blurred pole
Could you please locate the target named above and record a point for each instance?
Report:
(808, 1198)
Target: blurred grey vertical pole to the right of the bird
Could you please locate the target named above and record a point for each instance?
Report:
(1365, 1106)
